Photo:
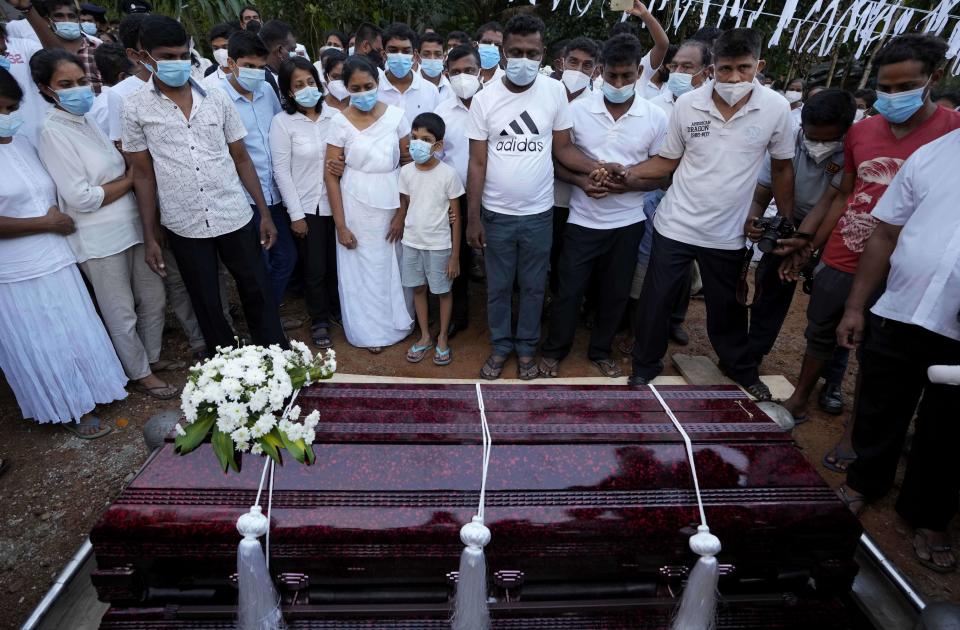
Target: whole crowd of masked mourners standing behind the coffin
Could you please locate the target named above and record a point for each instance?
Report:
(589, 181)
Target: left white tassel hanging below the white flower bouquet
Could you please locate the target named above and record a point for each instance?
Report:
(258, 605)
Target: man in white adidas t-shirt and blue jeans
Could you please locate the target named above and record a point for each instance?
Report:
(518, 125)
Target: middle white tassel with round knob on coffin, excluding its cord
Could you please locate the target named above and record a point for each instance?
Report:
(470, 606)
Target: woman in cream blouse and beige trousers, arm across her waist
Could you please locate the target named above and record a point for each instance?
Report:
(94, 189)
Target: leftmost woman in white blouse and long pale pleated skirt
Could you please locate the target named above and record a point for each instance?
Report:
(54, 351)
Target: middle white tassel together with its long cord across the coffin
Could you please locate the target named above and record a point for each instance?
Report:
(470, 610)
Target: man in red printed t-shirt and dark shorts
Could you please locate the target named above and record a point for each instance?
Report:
(908, 68)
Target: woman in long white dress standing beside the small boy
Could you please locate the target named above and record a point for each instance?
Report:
(371, 137)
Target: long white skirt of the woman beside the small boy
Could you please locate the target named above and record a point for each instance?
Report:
(374, 308)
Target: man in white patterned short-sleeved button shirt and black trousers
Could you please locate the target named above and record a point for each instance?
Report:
(186, 146)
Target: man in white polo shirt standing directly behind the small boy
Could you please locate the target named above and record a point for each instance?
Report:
(400, 86)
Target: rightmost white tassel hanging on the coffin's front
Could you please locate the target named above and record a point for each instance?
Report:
(698, 608)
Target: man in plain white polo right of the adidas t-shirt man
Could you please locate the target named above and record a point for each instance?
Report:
(604, 228)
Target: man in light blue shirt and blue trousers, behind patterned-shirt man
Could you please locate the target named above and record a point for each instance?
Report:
(257, 104)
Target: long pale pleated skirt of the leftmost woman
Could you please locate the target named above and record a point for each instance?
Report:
(54, 351)
